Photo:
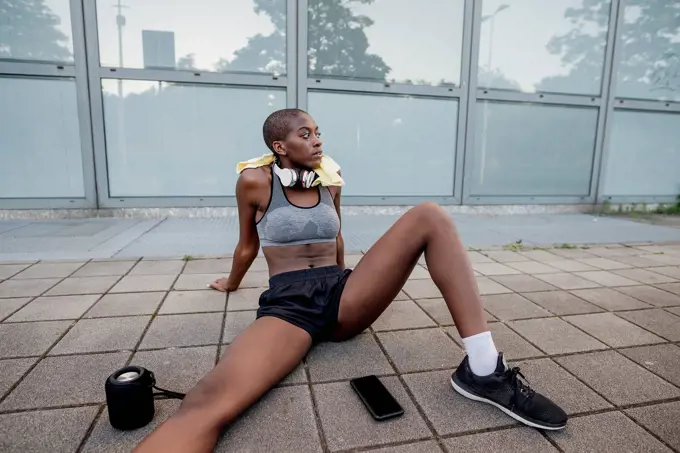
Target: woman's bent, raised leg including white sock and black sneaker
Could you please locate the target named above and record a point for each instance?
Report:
(382, 272)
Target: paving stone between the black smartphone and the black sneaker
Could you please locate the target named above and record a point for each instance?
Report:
(443, 406)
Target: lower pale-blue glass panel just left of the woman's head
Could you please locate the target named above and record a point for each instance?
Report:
(168, 139)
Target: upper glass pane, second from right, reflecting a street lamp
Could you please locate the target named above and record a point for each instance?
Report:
(537, 45)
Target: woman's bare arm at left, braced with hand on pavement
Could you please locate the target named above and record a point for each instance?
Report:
(247, 190)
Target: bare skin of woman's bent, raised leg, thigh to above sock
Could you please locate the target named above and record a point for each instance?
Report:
(428, 229)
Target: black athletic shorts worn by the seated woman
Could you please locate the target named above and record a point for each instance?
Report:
(308, 298)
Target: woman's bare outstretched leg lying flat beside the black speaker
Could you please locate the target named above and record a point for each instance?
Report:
(263, 354)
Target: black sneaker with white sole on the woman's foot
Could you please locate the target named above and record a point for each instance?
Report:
(504, 389)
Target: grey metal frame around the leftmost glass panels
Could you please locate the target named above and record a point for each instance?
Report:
(77, 72)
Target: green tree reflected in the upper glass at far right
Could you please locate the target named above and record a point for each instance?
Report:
(650, 40)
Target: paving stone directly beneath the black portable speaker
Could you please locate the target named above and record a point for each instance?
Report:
(106, 439)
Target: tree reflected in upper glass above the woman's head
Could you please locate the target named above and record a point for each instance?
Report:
(337, 43)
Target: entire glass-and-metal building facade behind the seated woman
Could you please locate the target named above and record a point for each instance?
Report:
(150, 103)
